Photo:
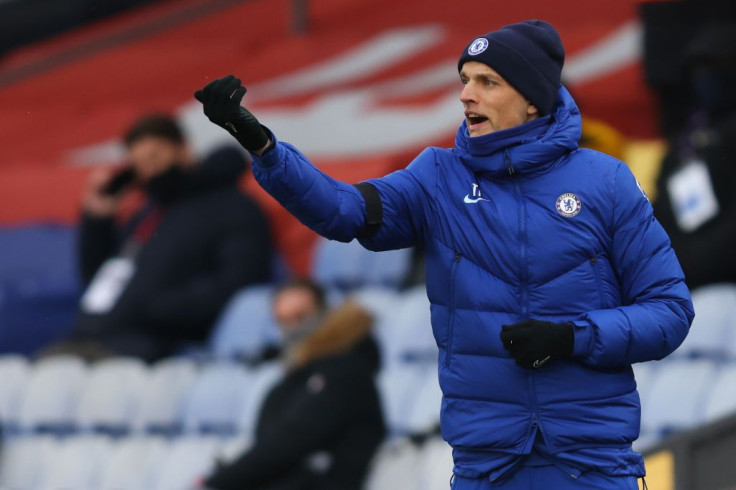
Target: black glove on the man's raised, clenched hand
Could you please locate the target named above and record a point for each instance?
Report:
(221, 103)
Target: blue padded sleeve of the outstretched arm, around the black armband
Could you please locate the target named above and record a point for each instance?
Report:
(337, 210)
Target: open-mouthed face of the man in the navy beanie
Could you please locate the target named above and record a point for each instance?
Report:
(491, 103)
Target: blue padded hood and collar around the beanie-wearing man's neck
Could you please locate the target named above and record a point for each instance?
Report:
(531, 147)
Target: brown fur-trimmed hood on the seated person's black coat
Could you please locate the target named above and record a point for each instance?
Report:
(346, 329)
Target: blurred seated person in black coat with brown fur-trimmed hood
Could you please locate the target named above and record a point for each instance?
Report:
(319, 427)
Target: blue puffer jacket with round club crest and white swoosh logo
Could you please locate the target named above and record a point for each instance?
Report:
(521, 224)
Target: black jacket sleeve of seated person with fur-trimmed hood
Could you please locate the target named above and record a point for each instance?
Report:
(310, 424)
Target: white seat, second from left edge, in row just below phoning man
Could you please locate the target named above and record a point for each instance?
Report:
(52, 394)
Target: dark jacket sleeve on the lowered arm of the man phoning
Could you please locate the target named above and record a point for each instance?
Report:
(242, 257)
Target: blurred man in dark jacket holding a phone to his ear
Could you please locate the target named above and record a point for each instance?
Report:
(157, 281)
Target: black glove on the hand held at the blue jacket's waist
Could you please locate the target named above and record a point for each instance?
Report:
(533, 343)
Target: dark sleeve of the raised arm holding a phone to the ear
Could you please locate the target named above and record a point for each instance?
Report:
(97, 243)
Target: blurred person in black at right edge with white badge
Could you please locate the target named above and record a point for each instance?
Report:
(696, 187)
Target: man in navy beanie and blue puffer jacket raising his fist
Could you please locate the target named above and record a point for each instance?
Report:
(547, 273)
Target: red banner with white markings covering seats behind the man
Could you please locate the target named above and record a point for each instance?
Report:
(370, 85)
